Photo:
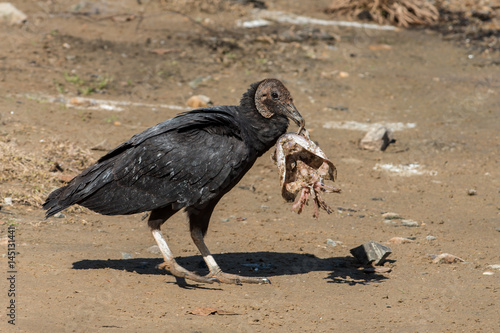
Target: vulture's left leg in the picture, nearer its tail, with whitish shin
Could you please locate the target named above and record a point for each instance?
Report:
(156, 219)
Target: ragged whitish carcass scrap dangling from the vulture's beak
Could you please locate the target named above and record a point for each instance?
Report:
(303, 168)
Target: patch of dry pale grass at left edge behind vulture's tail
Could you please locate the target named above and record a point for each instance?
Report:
(28, 178)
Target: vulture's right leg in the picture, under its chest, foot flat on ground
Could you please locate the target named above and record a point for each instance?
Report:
(198, 222)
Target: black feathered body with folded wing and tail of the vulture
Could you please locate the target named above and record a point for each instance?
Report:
(185, 161)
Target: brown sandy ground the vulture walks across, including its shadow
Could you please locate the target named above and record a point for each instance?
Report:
(91, 273)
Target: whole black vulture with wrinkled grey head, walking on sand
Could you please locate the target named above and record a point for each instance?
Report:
(190, 162)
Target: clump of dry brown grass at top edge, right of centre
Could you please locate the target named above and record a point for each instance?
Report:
(403, 13)
